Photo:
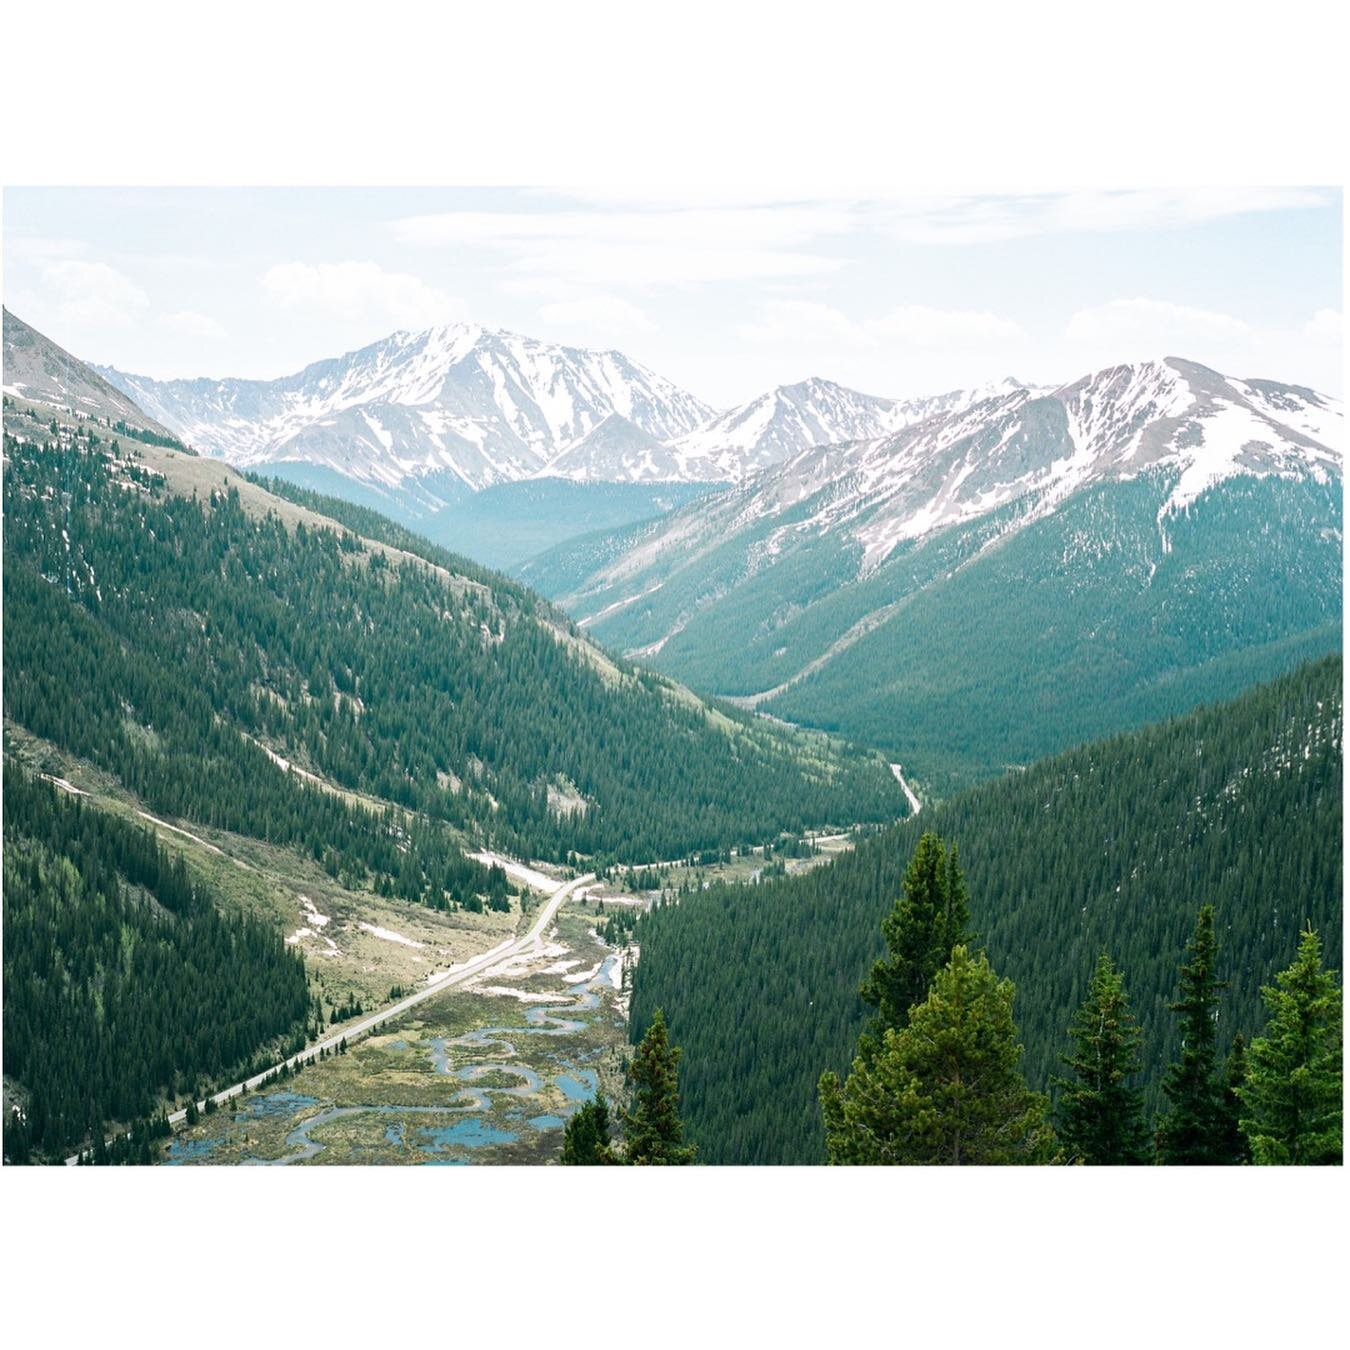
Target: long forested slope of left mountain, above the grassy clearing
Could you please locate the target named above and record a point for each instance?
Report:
(171, 639)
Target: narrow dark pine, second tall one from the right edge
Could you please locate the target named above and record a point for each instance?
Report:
(1193, 1131)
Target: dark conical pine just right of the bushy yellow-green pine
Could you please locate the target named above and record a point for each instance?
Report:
(1100, 1114)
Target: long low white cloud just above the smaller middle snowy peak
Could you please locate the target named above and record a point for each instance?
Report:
(809, 323)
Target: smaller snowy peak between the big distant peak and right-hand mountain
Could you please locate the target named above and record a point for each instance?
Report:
(794, 418)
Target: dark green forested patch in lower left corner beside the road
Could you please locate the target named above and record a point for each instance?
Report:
(124, 982)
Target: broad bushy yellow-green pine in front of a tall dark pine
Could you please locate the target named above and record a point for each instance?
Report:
(947, 1089)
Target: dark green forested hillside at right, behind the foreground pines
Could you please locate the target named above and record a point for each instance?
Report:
(1110, 847)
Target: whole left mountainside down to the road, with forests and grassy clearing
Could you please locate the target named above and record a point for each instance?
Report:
(226, 708)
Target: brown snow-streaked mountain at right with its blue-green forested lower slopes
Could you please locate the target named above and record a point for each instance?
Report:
(1002, 580)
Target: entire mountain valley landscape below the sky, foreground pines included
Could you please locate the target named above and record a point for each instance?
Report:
(460, 720)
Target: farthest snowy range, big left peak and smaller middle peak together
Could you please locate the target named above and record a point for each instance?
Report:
(461, 407)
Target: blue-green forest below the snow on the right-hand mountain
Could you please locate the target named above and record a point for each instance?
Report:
(1086, 623)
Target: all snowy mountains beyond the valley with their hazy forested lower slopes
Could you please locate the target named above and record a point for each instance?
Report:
(969, 583)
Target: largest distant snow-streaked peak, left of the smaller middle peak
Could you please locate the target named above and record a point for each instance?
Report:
(484, 407)
